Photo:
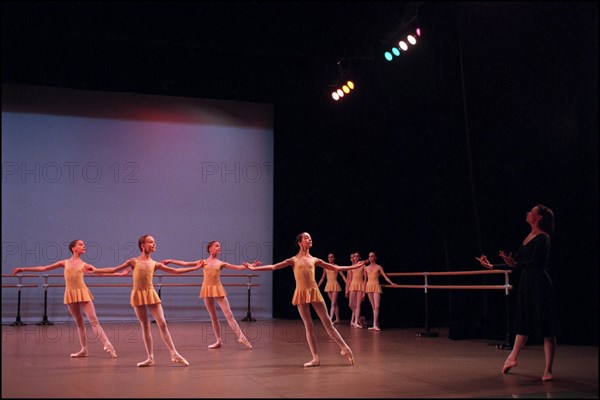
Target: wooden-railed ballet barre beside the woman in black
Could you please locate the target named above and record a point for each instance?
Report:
(426, 286)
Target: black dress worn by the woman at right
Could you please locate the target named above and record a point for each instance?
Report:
(536, 312)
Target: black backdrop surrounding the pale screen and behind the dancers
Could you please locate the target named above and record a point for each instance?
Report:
(434, 159)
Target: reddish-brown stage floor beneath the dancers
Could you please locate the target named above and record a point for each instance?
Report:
(391, 363)
